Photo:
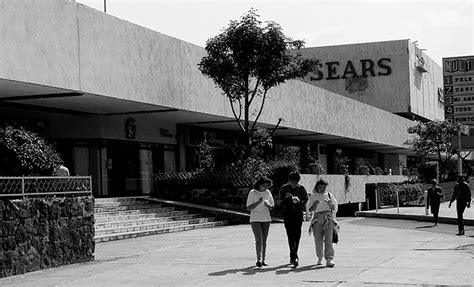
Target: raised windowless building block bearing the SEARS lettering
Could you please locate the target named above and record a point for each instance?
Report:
(395, 76)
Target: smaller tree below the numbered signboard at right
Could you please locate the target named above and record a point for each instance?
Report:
(435, 138)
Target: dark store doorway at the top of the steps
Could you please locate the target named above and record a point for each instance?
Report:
(123, 169)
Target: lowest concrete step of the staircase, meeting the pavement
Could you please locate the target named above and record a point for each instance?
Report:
(125, 235)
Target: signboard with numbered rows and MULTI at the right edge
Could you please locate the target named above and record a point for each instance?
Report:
(458, 79)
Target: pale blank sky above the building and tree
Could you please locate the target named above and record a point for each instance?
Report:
(443, 28)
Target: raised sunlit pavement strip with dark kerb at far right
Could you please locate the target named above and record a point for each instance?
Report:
(446, 215)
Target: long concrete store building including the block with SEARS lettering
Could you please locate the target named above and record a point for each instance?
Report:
(122, 102)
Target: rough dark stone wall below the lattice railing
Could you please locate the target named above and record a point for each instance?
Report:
(38, 233)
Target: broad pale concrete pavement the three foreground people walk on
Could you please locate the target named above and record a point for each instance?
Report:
(224, 256)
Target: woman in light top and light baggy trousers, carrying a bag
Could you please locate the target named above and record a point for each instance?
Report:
(323, 207)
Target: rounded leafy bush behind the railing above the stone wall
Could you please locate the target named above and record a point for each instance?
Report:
(24, 153)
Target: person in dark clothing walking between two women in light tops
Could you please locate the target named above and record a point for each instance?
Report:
(294, 198)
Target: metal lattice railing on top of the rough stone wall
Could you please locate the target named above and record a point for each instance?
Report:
(45, 185)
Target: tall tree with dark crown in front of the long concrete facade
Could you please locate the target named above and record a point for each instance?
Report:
(246, 60)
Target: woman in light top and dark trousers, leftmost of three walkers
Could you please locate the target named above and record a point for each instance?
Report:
(260, 202)
